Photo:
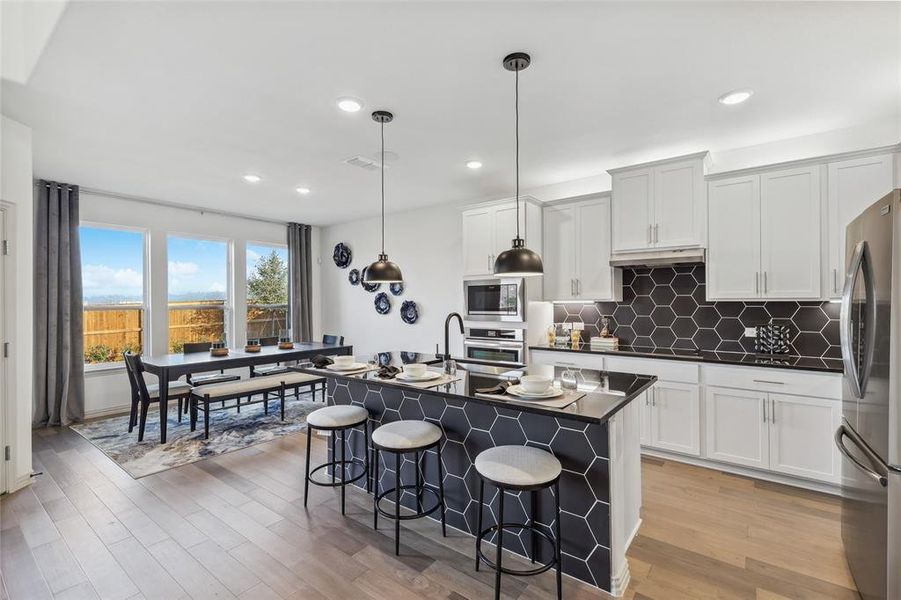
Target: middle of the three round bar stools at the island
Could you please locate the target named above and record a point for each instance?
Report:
(399, 438)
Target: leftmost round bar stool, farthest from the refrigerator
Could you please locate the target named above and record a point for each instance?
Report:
(334, 419)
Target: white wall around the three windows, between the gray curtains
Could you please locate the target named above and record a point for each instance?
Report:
(107, 391)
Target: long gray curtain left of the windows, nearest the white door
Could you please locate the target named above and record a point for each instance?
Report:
(59, 320)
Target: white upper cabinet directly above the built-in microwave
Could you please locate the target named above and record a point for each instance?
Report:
(489, 229)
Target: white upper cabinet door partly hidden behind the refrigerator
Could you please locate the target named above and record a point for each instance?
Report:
(853, 186)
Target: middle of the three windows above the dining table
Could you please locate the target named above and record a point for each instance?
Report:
(198, 291)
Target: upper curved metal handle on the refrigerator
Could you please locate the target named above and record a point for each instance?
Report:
(860, 262)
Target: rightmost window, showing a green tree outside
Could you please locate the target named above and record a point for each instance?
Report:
(267, 290)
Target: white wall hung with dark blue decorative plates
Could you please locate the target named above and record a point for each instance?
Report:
(427, 245)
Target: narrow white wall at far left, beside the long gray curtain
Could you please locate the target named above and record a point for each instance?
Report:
(17, 194)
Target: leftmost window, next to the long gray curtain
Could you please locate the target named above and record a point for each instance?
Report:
(112, 278)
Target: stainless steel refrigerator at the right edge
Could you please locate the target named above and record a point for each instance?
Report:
(871, 412)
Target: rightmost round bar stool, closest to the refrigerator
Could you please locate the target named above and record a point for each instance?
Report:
(519, 468)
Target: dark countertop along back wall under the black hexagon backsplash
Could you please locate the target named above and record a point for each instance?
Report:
(776, 361)
